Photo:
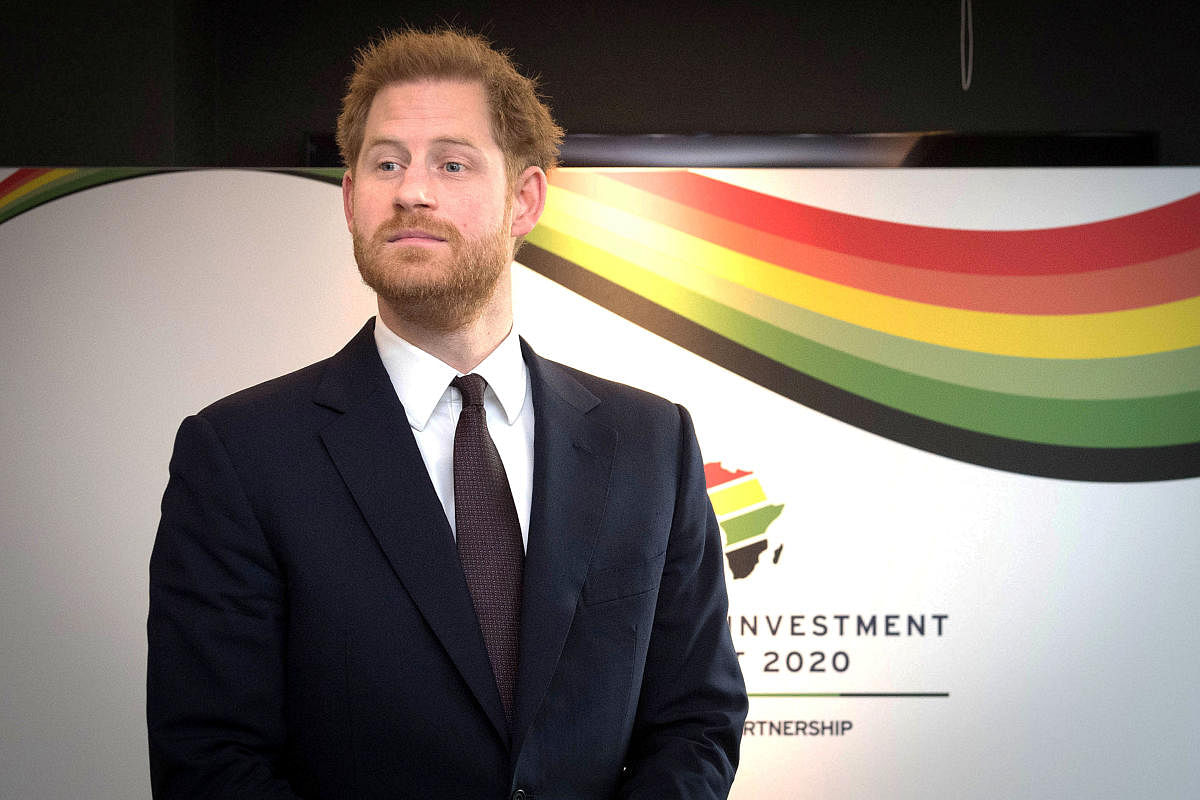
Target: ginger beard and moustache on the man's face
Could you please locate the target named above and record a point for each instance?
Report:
(437, 291)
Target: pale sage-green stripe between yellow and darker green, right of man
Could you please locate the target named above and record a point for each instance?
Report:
(1147, 376)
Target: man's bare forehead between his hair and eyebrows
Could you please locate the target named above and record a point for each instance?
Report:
(433, 107)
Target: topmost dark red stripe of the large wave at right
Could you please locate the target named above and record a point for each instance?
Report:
(1144, 237)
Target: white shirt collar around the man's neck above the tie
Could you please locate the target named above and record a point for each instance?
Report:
(422, 380)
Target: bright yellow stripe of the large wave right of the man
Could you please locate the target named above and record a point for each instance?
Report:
(687, 261)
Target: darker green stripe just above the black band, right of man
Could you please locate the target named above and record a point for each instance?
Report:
(1141, 423)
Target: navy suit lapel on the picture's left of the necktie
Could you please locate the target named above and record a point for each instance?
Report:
(376, 455)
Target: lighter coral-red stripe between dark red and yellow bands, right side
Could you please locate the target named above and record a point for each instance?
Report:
(1175, 278)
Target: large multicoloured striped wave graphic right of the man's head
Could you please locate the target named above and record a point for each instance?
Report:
(1069, 353)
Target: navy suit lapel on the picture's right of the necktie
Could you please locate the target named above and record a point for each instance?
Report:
(573, 461)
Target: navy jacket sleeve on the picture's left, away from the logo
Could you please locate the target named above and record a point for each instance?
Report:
(217, 635)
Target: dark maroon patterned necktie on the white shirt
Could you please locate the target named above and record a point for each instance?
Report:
(489, 537)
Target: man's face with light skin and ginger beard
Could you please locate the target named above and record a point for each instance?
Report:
(428, 203)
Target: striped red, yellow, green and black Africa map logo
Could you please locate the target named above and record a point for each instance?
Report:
(743, 514)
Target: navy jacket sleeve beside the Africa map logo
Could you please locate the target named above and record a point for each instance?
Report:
(693, 702)
